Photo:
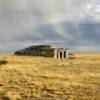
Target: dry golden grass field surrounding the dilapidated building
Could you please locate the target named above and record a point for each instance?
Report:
(40, 78)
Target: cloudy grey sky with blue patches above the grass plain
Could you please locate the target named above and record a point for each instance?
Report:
(73, 24)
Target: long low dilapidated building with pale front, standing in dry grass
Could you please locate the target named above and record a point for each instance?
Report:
(45, 51)
